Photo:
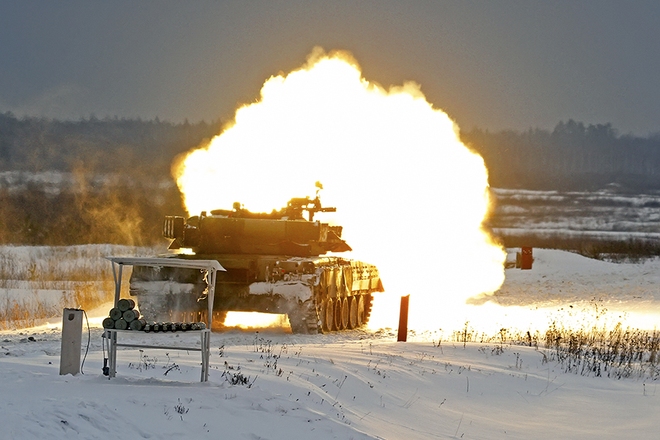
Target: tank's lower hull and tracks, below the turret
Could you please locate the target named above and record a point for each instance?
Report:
(318, 293)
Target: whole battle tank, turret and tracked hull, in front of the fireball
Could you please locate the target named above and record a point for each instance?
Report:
(275, 263)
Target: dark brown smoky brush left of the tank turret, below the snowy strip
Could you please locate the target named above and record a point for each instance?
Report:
(126, 211)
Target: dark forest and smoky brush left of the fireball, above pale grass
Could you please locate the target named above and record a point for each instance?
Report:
(120, 170)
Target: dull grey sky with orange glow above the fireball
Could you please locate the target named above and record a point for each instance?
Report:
(488, 64)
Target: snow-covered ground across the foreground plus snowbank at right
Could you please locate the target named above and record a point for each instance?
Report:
(354, 385)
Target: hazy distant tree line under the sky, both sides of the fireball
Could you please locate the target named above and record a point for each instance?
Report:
(572, 156)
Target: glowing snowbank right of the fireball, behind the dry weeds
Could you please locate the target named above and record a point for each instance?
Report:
(567, 287)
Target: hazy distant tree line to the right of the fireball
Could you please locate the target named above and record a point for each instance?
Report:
(573, 156)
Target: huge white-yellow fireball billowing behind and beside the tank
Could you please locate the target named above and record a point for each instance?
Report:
(410, 195)
